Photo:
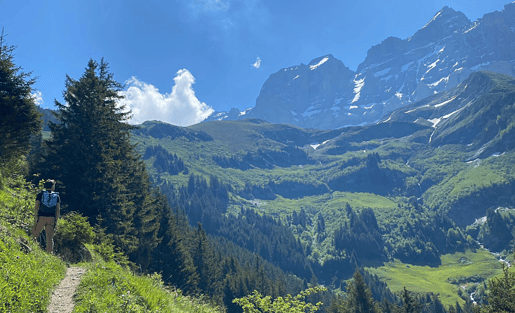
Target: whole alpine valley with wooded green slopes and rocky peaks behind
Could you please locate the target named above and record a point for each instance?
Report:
(403, 169)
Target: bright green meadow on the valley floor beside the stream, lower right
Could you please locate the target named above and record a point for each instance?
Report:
(422, 279)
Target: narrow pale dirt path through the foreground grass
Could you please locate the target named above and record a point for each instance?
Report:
(62, 297)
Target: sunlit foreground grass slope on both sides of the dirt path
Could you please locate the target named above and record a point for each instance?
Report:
(28, 274)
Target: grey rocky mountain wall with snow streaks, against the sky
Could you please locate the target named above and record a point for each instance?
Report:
(325, 94)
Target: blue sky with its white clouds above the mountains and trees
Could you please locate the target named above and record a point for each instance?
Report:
(181, 59)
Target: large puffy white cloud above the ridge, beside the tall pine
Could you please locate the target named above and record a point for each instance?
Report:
(180, 107)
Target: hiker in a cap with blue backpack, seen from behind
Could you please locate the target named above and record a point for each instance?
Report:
(47, 213)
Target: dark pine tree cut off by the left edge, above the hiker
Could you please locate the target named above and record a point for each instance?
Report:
(19, 119)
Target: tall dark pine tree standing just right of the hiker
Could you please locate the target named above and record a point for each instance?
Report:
(90, 153)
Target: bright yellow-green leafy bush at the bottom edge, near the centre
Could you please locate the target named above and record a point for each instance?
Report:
(256, 302)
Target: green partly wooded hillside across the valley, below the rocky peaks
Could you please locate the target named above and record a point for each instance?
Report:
(406, 188)
